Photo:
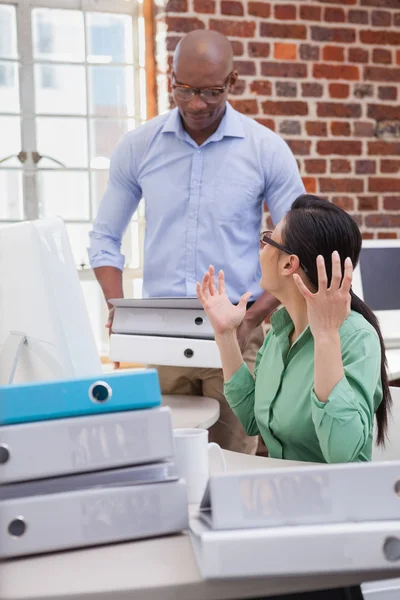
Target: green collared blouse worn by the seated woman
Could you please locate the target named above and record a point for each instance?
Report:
(279, 402)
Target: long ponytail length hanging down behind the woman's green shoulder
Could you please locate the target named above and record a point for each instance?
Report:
(384, 408)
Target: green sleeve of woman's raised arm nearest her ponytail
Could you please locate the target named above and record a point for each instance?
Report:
(345, 421)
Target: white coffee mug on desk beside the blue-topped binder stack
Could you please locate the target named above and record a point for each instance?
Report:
(192, 452)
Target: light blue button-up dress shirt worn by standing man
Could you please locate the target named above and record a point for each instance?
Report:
(203, 204)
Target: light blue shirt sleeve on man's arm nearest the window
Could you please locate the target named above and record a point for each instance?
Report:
(117, 206)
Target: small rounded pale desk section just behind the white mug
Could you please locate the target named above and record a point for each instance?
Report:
(192, 411)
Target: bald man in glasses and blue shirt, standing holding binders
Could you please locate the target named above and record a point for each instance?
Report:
(204, 171)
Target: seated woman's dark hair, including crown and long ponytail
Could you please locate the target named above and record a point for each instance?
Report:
(314, 226)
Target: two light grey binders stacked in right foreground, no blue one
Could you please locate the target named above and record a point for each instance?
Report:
(300, 520)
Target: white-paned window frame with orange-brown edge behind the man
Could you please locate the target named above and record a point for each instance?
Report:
(137, 10)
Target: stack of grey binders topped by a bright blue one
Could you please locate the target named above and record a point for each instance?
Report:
(86, 462)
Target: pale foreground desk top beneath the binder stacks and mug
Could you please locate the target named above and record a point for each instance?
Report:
(157, 569)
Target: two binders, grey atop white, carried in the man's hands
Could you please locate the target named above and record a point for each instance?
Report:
(163, 331)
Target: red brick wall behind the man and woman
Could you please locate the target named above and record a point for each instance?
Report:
(324, 75)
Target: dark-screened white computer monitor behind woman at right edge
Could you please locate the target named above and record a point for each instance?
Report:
(377, 281)
